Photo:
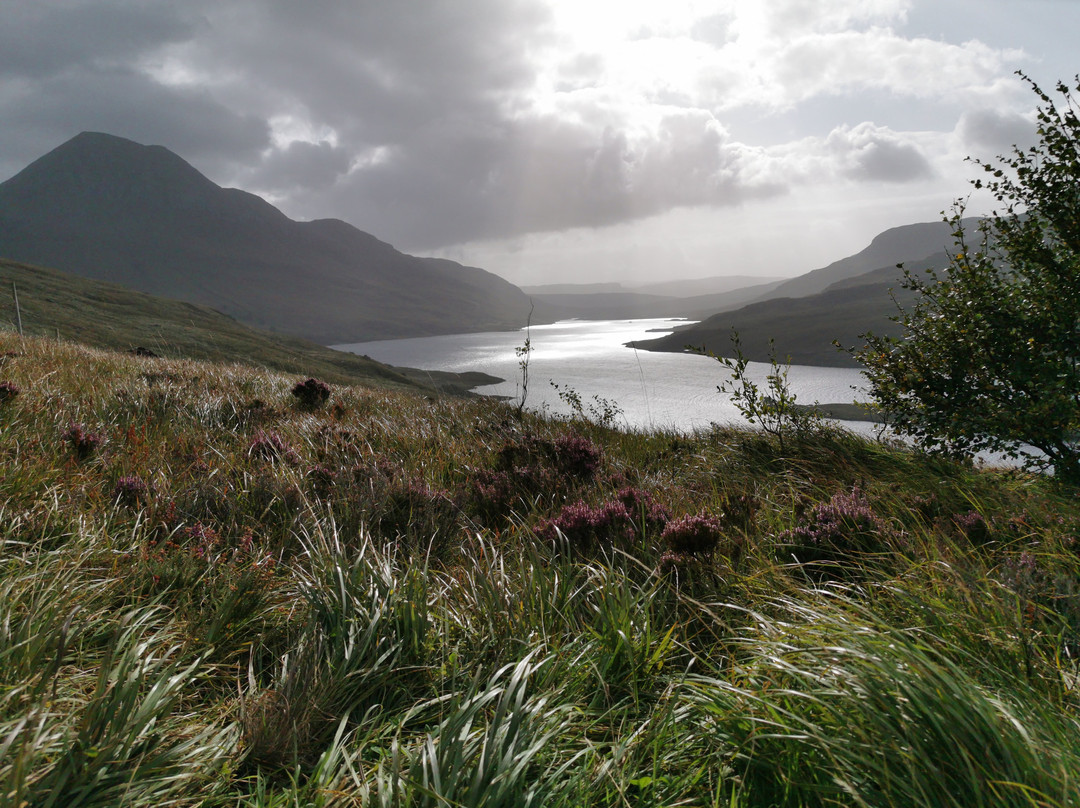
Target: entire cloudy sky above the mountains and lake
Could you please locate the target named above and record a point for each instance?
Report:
(557, 141)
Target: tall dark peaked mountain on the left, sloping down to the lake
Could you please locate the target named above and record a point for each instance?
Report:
(113, 210)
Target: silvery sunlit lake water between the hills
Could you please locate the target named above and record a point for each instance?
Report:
(654, 390)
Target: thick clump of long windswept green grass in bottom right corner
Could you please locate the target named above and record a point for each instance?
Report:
(827, 706)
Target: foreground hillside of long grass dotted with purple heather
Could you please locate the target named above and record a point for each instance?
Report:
(215, 590)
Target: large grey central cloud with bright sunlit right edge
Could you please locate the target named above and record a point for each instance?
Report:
(428, 109)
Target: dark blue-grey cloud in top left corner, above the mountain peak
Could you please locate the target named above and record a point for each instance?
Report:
(71, 68)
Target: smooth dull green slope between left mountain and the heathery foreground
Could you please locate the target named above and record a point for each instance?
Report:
(111, 316)
